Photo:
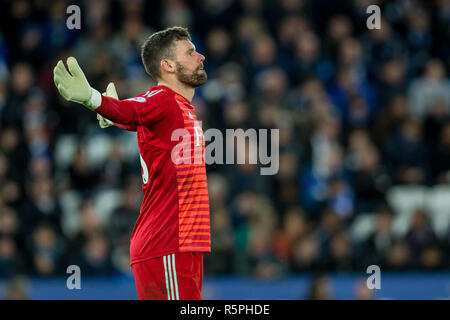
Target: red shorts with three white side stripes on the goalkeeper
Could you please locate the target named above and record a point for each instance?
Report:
(176, 276)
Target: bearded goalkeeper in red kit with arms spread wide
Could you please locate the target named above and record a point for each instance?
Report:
(173, 228)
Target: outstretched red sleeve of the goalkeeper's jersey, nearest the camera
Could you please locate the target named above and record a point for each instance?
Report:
(133, 112)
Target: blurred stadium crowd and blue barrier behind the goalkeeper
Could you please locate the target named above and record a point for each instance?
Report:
(364, 147)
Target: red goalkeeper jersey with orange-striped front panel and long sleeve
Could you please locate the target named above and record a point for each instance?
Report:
(174, 215)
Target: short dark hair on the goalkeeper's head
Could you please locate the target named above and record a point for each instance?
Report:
(159, 46)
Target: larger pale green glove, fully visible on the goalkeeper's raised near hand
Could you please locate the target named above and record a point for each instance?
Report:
(74, 86)
